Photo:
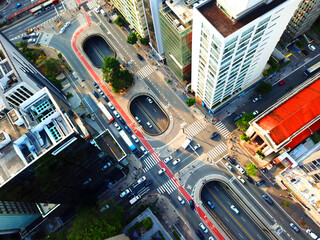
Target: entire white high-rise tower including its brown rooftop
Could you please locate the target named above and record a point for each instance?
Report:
(232, 41)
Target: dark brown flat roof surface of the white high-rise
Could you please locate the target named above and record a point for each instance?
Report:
(224, 24)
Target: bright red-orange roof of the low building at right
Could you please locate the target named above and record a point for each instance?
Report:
(293, 114)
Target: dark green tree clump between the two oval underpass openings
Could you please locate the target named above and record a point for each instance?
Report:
(112, 73)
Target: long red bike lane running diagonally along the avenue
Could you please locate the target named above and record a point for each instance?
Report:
(133, 127)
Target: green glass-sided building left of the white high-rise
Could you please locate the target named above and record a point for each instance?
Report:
(176, 26)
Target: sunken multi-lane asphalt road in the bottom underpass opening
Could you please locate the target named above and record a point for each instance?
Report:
(241, 226)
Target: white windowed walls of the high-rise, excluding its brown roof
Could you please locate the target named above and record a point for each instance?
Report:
(263, 36)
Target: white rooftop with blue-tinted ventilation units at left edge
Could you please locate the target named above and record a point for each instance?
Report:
(27, 134)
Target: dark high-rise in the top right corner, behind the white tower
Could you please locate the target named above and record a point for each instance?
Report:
(302, 20)
